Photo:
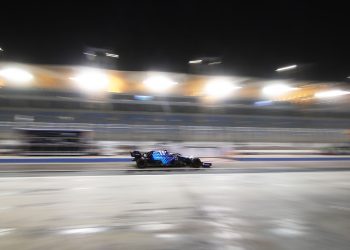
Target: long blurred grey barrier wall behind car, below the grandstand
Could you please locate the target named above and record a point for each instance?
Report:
(125, 132)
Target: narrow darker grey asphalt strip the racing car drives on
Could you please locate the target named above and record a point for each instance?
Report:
(224, 167)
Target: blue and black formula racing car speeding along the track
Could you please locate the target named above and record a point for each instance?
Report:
(162, 158)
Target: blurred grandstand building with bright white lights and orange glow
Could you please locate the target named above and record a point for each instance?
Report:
(91, 95)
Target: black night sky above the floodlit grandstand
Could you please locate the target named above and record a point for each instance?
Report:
(253, 39)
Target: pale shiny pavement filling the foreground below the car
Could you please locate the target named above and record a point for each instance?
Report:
(104, 209)
